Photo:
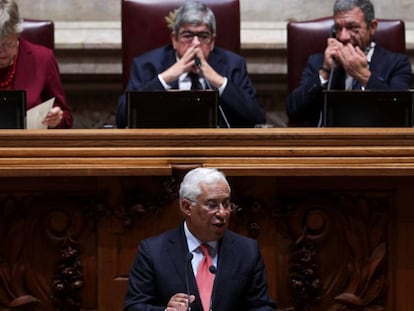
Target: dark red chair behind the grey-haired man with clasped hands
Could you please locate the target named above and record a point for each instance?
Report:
(144, 26)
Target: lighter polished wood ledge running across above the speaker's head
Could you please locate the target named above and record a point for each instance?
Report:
(281, 152)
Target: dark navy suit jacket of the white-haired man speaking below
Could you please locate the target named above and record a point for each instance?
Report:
(159, 272)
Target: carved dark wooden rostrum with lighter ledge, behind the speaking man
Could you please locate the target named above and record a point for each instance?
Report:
(331, 209)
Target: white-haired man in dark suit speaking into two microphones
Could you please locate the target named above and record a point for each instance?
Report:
(164, 273)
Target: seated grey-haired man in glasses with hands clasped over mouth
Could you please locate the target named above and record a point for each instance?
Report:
(193, 35)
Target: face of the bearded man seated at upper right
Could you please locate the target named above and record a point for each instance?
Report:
(351, 28)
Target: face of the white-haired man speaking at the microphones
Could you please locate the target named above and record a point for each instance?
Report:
(208, 224)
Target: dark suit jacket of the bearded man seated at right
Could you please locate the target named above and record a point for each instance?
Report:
(389, 71)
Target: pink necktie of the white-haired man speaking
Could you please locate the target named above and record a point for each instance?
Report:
(205, 278)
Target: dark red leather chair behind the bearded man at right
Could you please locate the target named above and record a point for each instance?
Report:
(308, 37)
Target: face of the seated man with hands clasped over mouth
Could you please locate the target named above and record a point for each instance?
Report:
(196, 36)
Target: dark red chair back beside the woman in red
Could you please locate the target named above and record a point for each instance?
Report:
(39, 31)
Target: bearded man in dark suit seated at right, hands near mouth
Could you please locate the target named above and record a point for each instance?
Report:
(358, 63)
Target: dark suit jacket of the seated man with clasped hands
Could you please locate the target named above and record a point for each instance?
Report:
(238, 100)
